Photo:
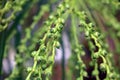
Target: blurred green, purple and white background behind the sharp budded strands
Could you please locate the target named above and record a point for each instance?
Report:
(22, 25)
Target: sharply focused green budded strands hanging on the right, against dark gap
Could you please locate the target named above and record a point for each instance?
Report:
(101, 52)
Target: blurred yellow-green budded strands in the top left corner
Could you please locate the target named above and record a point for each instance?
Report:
(9, 11)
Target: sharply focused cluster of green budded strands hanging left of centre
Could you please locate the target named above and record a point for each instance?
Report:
(46, 53)
